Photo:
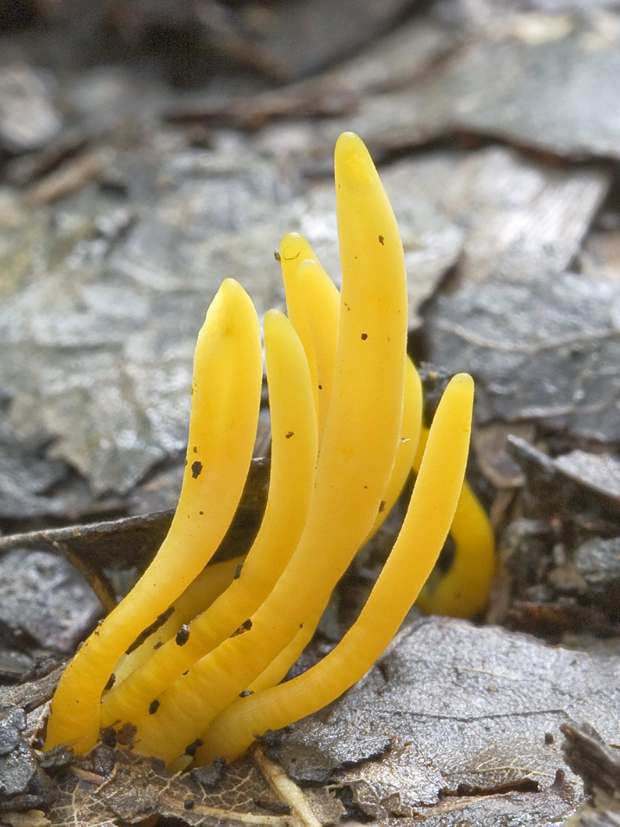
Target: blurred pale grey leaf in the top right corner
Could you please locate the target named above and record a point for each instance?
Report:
(555, 94)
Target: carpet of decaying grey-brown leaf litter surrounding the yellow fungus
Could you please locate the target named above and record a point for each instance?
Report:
(457, 724)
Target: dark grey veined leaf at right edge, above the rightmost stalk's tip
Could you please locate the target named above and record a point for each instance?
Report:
(547, 351)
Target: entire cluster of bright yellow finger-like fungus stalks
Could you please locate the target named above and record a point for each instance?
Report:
(193, 657)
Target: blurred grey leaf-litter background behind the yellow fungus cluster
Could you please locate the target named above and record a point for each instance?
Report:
(149, 149)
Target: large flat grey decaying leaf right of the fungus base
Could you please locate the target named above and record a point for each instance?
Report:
(454, 716)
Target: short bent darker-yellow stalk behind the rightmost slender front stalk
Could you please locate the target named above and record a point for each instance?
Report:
(464, 590)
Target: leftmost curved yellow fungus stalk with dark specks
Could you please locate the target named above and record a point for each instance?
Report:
(226, 398)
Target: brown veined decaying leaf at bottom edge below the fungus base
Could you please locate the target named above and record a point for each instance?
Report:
(115, 784)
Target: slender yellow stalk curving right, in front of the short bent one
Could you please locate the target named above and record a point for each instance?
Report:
(415, 552)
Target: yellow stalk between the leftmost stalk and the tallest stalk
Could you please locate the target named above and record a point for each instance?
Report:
(293, 462)
